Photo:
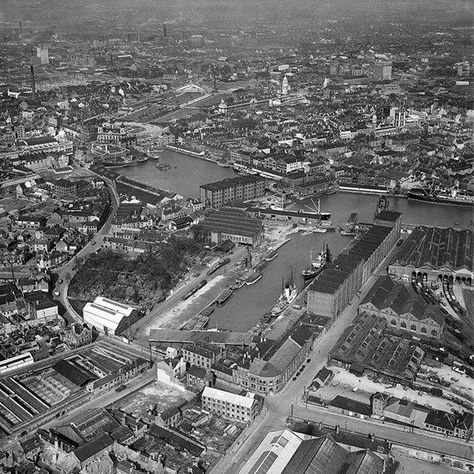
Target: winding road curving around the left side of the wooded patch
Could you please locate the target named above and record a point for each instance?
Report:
(67, 271)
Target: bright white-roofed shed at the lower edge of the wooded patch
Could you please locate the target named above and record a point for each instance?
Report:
(106, 315)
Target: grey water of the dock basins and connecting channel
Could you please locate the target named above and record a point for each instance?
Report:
(249, 303)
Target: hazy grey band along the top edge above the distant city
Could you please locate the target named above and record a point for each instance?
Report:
(233, 12)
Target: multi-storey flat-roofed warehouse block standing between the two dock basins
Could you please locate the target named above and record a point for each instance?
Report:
(242, 188)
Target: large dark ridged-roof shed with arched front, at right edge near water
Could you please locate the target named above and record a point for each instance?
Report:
(436, 254)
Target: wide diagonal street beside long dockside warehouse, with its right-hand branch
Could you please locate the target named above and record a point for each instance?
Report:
(278, 407)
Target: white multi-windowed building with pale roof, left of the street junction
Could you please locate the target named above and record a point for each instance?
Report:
(237, 407)
